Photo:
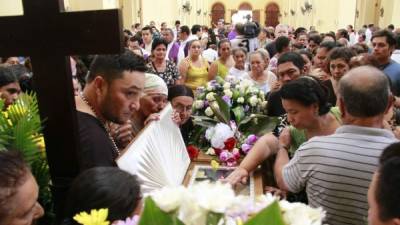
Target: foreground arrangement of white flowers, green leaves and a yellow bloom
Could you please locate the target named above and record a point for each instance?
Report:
(211, 204)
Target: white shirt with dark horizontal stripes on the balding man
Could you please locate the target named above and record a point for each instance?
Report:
(336, 171)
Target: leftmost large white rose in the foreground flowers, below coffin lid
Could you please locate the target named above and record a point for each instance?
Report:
(169, 198)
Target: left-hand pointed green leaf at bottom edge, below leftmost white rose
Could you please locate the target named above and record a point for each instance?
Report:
(153, 215)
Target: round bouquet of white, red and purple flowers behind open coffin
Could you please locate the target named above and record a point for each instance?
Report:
(229, 116)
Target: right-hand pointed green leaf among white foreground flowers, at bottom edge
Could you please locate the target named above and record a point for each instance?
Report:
(271, 215)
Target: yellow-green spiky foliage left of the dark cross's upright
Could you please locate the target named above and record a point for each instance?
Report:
(20, 130)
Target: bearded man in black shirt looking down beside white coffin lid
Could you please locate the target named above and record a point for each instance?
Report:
(114, 86)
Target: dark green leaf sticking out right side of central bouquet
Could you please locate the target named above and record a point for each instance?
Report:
(258, 124)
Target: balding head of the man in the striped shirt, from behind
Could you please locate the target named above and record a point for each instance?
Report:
(365, 92)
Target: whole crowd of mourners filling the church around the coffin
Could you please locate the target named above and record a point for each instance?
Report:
(336, 96)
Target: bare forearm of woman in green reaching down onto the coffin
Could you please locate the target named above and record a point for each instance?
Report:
(266, 146)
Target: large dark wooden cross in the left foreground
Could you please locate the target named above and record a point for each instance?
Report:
(48, 35)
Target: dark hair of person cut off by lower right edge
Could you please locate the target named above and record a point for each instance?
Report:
(387, 193)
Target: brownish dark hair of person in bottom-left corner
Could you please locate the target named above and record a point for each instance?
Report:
(13, 173)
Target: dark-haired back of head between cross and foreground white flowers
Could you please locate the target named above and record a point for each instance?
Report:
(104, 187)
